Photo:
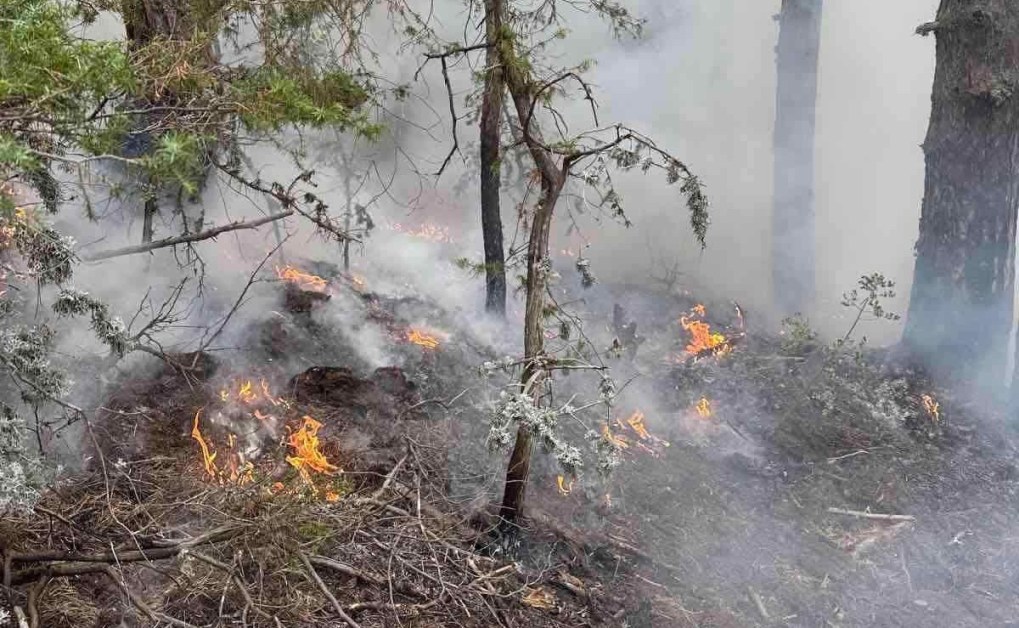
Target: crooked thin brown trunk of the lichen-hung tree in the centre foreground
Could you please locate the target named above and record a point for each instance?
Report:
(553, 180)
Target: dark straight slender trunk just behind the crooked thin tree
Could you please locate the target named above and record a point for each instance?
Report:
(492, 127)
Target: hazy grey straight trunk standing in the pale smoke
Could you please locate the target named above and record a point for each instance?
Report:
(793, 218)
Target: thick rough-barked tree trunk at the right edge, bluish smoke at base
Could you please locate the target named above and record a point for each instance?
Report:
(960, 313)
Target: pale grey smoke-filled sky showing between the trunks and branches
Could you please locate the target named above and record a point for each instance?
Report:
(703, 84)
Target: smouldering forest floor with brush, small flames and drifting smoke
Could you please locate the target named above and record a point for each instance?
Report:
(817, 487)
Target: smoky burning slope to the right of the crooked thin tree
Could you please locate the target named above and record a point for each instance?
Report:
(805, 484)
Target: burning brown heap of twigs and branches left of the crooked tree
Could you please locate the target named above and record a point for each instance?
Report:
(148, 538)
